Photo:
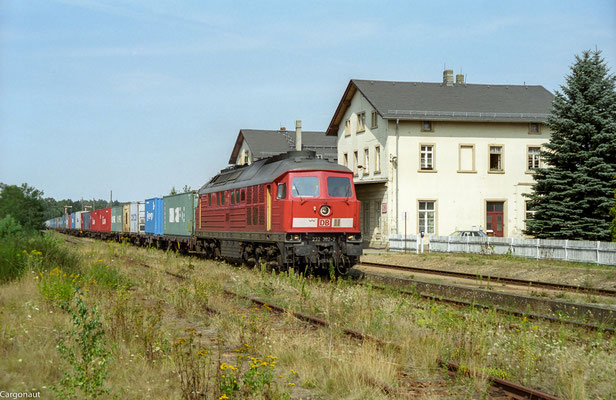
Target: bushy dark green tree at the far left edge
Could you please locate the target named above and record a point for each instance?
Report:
(24, 203)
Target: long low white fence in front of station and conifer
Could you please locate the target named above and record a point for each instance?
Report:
(567, 250)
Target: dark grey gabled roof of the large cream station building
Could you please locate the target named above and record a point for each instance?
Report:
(458, 102)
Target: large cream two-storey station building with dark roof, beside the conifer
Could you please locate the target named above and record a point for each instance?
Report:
(436, 157)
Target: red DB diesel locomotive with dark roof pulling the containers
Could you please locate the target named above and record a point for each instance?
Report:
(291, 210)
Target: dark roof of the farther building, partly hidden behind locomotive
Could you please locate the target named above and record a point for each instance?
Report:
(267, 143)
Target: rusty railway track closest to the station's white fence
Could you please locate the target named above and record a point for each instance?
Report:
(495, 279)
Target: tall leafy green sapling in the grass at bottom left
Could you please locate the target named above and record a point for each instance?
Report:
(84, 347)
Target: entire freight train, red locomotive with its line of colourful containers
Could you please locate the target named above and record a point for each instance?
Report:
(291, 210)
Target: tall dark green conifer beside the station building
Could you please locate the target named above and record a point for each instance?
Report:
(573, 194)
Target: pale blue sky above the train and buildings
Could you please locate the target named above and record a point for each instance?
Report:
(136, 97)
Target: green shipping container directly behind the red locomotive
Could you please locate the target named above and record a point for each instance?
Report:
(179, 214)
